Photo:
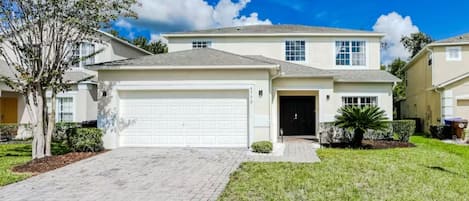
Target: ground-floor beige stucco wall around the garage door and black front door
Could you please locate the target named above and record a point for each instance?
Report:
(265, 111)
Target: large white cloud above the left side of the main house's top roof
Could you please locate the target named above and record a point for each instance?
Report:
(183, 15)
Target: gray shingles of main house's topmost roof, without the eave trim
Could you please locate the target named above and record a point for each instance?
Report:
(257, 29)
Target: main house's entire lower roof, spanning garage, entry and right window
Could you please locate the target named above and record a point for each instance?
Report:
(205, 58)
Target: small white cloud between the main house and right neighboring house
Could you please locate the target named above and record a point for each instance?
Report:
(395, 27)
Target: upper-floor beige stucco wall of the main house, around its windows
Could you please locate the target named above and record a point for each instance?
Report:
(320, 51)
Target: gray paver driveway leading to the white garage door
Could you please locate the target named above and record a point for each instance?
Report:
(132, 174)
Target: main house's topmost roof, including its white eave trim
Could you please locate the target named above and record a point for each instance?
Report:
(274, 29)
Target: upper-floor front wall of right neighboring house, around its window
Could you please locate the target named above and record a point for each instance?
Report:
(445, 70)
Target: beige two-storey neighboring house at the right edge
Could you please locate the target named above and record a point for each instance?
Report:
(438, 82)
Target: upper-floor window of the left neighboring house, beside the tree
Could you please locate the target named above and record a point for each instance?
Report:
(83, 53)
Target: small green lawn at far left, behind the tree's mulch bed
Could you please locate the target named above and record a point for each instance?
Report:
(16, 154)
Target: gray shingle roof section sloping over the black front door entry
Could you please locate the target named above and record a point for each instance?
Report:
(295, 70)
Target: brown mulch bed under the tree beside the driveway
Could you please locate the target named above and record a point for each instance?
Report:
(49, 163)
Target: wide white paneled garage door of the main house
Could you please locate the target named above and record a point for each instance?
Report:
(184, 118)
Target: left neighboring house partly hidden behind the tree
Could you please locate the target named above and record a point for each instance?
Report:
(80, 102)
